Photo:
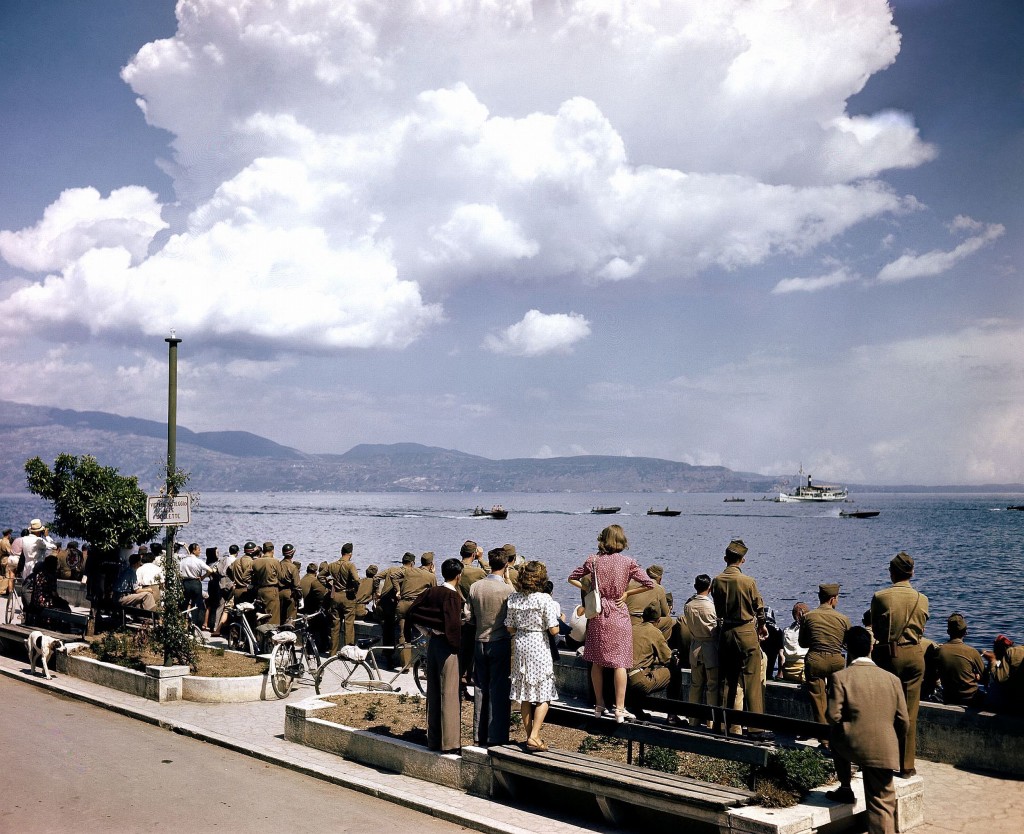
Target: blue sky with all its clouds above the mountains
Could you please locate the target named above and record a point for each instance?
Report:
(750, 234)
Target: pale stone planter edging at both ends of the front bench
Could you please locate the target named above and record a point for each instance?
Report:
(473, 773)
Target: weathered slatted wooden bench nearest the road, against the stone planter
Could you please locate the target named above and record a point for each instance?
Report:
(615, 785)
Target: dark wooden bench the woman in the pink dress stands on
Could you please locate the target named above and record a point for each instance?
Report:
(675, 738)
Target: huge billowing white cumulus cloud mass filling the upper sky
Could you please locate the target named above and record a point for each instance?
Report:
(339, 168)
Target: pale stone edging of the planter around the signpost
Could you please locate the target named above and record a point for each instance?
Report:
(165, 683)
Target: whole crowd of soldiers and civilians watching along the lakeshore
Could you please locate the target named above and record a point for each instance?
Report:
(493, 625)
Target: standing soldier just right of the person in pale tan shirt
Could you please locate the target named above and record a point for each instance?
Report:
(742, 611)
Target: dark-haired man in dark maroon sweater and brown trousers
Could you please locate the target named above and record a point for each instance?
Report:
(439, 612)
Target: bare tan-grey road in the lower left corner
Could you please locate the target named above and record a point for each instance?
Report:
(69, 767)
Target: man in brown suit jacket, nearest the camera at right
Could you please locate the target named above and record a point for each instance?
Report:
(870, 722)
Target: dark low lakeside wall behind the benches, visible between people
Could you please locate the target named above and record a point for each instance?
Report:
(952, 735)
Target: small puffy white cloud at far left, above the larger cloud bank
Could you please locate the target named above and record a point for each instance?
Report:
(81, 221)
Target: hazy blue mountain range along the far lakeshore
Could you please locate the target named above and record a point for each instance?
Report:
(225, 462)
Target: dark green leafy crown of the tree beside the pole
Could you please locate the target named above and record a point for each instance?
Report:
(92, 503)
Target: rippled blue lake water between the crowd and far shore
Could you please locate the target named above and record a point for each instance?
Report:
(969, 549)
